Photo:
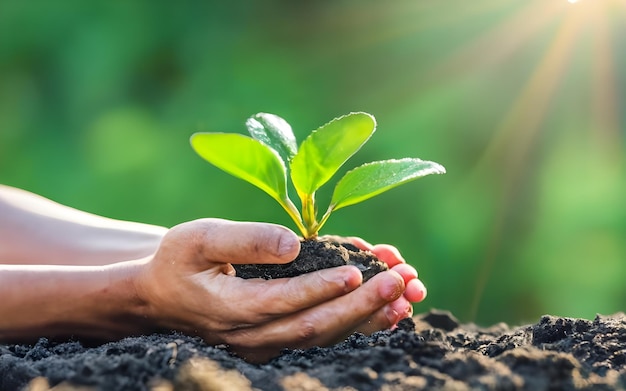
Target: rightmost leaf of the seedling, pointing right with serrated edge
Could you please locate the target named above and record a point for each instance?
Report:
(371, 179)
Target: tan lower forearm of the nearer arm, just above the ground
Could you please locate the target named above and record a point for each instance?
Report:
(61, 301)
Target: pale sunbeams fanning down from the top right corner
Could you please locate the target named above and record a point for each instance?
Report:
(581, 42)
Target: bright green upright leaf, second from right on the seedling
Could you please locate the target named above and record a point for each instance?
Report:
(327, 149)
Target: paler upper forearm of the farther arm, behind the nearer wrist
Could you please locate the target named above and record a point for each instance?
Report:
(35, 230)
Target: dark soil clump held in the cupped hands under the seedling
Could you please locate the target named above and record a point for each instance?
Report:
(316, 255)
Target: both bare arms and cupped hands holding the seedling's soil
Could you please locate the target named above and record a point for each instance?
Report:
(65, 273)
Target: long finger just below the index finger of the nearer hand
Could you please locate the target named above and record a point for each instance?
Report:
(325, 323)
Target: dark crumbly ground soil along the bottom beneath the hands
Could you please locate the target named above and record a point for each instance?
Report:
(432, 351)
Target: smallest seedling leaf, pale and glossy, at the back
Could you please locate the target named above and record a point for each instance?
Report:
(275, 132)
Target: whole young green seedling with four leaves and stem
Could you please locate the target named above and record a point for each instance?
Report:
(265, 159)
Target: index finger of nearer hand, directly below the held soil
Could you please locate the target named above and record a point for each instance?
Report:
(281, 297)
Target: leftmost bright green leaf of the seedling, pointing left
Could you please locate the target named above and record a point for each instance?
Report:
(245, 158)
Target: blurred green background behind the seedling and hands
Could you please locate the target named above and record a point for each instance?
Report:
(523, 102)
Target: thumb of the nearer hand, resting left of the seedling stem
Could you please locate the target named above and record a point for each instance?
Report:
(217, 240)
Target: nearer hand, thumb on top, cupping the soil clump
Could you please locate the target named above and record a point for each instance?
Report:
(189, 285)
